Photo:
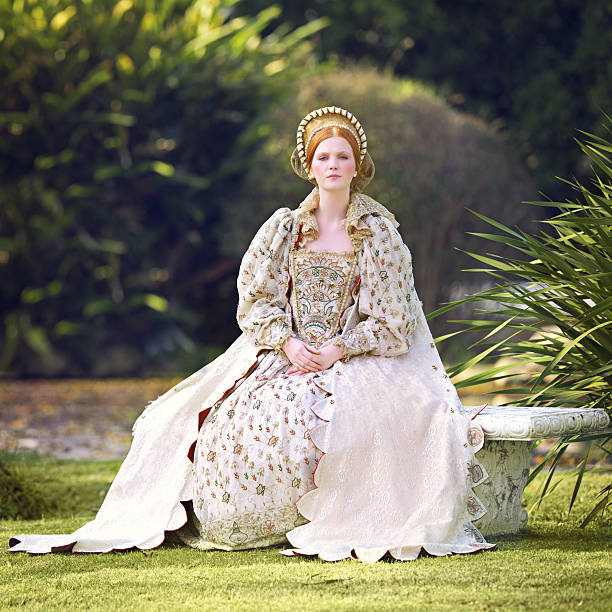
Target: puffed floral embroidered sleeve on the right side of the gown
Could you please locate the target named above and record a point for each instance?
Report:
(388, 303)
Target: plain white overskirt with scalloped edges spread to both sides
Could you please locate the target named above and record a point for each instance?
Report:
(397, 474)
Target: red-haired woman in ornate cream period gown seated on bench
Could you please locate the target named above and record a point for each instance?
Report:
(330, 421)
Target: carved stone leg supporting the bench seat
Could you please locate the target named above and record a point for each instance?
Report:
(507, 462)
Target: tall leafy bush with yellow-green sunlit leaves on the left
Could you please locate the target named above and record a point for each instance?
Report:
(121, 125)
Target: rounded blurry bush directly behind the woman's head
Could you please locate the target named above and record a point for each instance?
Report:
(431, 164)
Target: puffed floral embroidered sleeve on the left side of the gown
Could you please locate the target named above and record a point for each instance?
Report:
(263, 282)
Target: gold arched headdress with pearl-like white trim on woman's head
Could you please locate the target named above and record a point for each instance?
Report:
(326, 117)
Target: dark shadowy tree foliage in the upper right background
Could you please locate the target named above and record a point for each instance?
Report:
(539, 68)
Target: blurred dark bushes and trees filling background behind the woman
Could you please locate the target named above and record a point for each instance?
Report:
(143, 143)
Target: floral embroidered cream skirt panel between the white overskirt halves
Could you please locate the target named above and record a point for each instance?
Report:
(253, 460)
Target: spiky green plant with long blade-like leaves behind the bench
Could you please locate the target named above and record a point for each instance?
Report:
(552, 307)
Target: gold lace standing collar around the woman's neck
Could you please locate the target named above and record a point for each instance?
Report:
(360, 206)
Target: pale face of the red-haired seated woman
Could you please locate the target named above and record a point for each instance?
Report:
(333, 164)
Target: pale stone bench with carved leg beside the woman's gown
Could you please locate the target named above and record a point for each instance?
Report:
(508, 433)
